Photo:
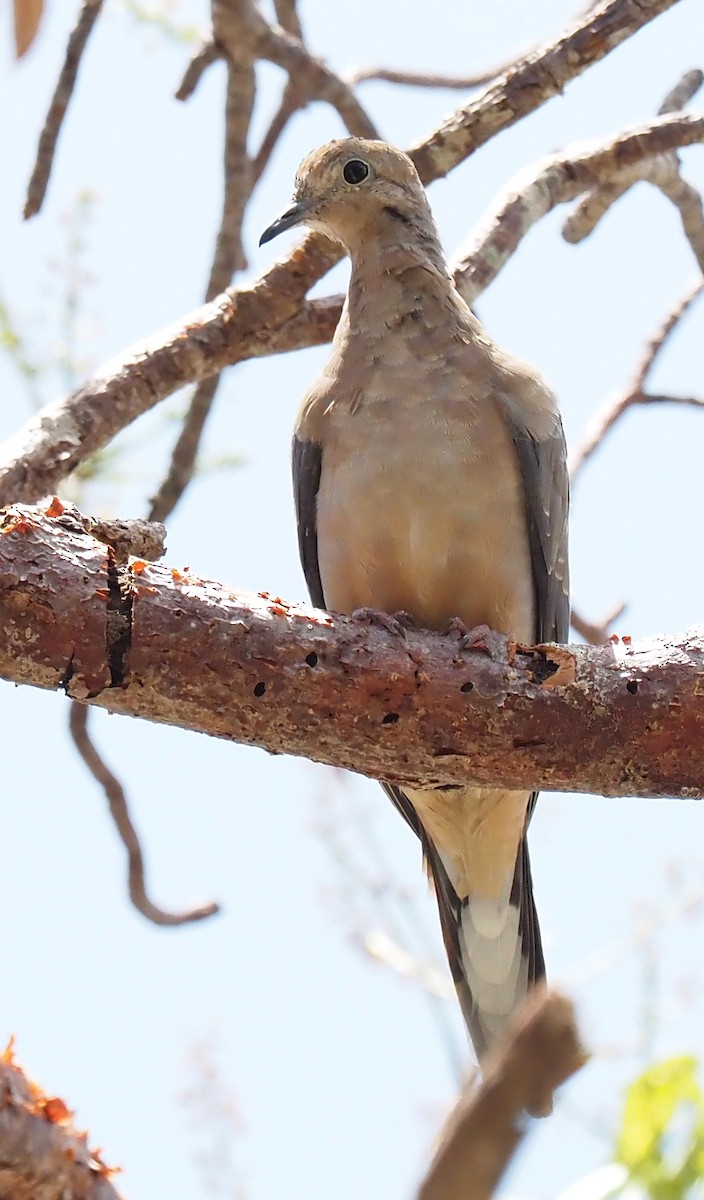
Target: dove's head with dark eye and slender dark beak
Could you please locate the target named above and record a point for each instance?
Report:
(353, 190)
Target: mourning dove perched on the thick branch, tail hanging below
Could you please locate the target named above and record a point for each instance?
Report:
(430, 477)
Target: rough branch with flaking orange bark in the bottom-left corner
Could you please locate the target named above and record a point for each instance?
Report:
(43, 1154)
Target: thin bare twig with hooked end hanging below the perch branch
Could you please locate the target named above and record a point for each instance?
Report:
(121, 814)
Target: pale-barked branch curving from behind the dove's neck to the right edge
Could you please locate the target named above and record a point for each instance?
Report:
(537, 191)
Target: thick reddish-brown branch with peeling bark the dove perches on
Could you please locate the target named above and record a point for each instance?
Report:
(160, 644)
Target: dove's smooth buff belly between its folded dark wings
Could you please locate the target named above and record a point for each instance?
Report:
(434, 526)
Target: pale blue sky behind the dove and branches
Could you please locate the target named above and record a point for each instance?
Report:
(340, 1070)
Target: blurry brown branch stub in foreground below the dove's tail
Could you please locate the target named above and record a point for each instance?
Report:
(541, 1051)
